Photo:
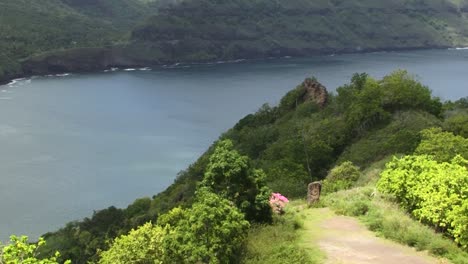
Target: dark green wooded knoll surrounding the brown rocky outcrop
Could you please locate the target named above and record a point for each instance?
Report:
(302, 143)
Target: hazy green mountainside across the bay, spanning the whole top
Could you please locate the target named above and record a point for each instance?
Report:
(85, 35)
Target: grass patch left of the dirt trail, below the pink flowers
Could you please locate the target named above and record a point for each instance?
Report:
(280, 242)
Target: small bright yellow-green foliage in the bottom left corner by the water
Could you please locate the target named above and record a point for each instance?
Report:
(19, 251)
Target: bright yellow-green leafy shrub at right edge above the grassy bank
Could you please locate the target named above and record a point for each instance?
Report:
(435, 193)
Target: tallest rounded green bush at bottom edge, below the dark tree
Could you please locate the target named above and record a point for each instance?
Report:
(212, 231)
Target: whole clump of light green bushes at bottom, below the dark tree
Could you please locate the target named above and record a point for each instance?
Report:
(211, 231)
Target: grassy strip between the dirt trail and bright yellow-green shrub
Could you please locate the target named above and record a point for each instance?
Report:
(385, 218)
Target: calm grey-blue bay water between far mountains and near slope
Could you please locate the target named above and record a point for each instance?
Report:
(84, 142)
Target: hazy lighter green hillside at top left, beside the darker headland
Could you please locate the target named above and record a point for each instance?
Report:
(33, 27)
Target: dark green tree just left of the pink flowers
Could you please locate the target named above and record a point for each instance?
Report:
(232, 177)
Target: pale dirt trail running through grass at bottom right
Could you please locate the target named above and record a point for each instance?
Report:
(345, 240)
